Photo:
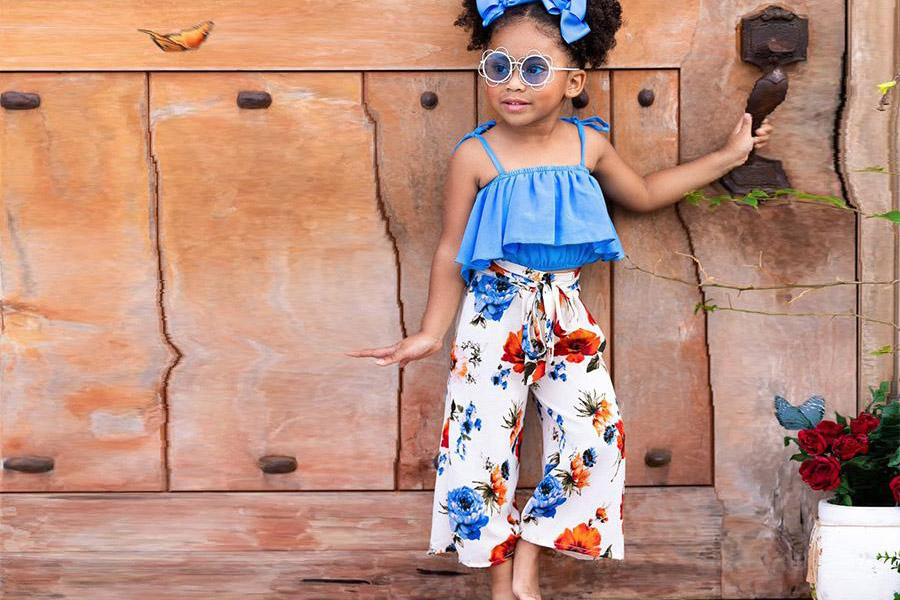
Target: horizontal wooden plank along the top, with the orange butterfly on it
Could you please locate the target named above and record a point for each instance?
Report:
(290, 34)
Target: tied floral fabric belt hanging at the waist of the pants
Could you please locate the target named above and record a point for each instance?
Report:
(548, 299)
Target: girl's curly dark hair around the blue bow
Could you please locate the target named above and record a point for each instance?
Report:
(604, 17)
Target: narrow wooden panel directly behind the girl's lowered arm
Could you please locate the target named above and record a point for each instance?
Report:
(414, 144)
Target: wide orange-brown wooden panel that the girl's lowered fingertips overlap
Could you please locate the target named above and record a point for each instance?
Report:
(268, 248)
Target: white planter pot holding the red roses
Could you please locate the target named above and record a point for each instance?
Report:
(841, 563)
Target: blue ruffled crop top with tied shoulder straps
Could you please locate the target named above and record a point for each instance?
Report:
(549, 217)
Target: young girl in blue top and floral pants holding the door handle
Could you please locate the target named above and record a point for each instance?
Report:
(523, 211)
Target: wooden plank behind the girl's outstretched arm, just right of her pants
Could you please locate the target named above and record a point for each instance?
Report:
(660, 364)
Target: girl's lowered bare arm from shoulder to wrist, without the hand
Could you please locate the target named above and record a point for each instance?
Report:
(445, 284)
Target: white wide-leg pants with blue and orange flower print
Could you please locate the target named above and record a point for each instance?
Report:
(519, 329)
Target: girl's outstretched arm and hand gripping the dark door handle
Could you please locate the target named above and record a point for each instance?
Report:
(667, 186)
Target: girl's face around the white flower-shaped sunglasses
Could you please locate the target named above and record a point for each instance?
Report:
(519, 38)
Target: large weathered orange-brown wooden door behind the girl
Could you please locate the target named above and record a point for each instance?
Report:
(181, 276)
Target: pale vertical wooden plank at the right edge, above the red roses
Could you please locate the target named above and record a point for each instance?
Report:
(865, 141)
